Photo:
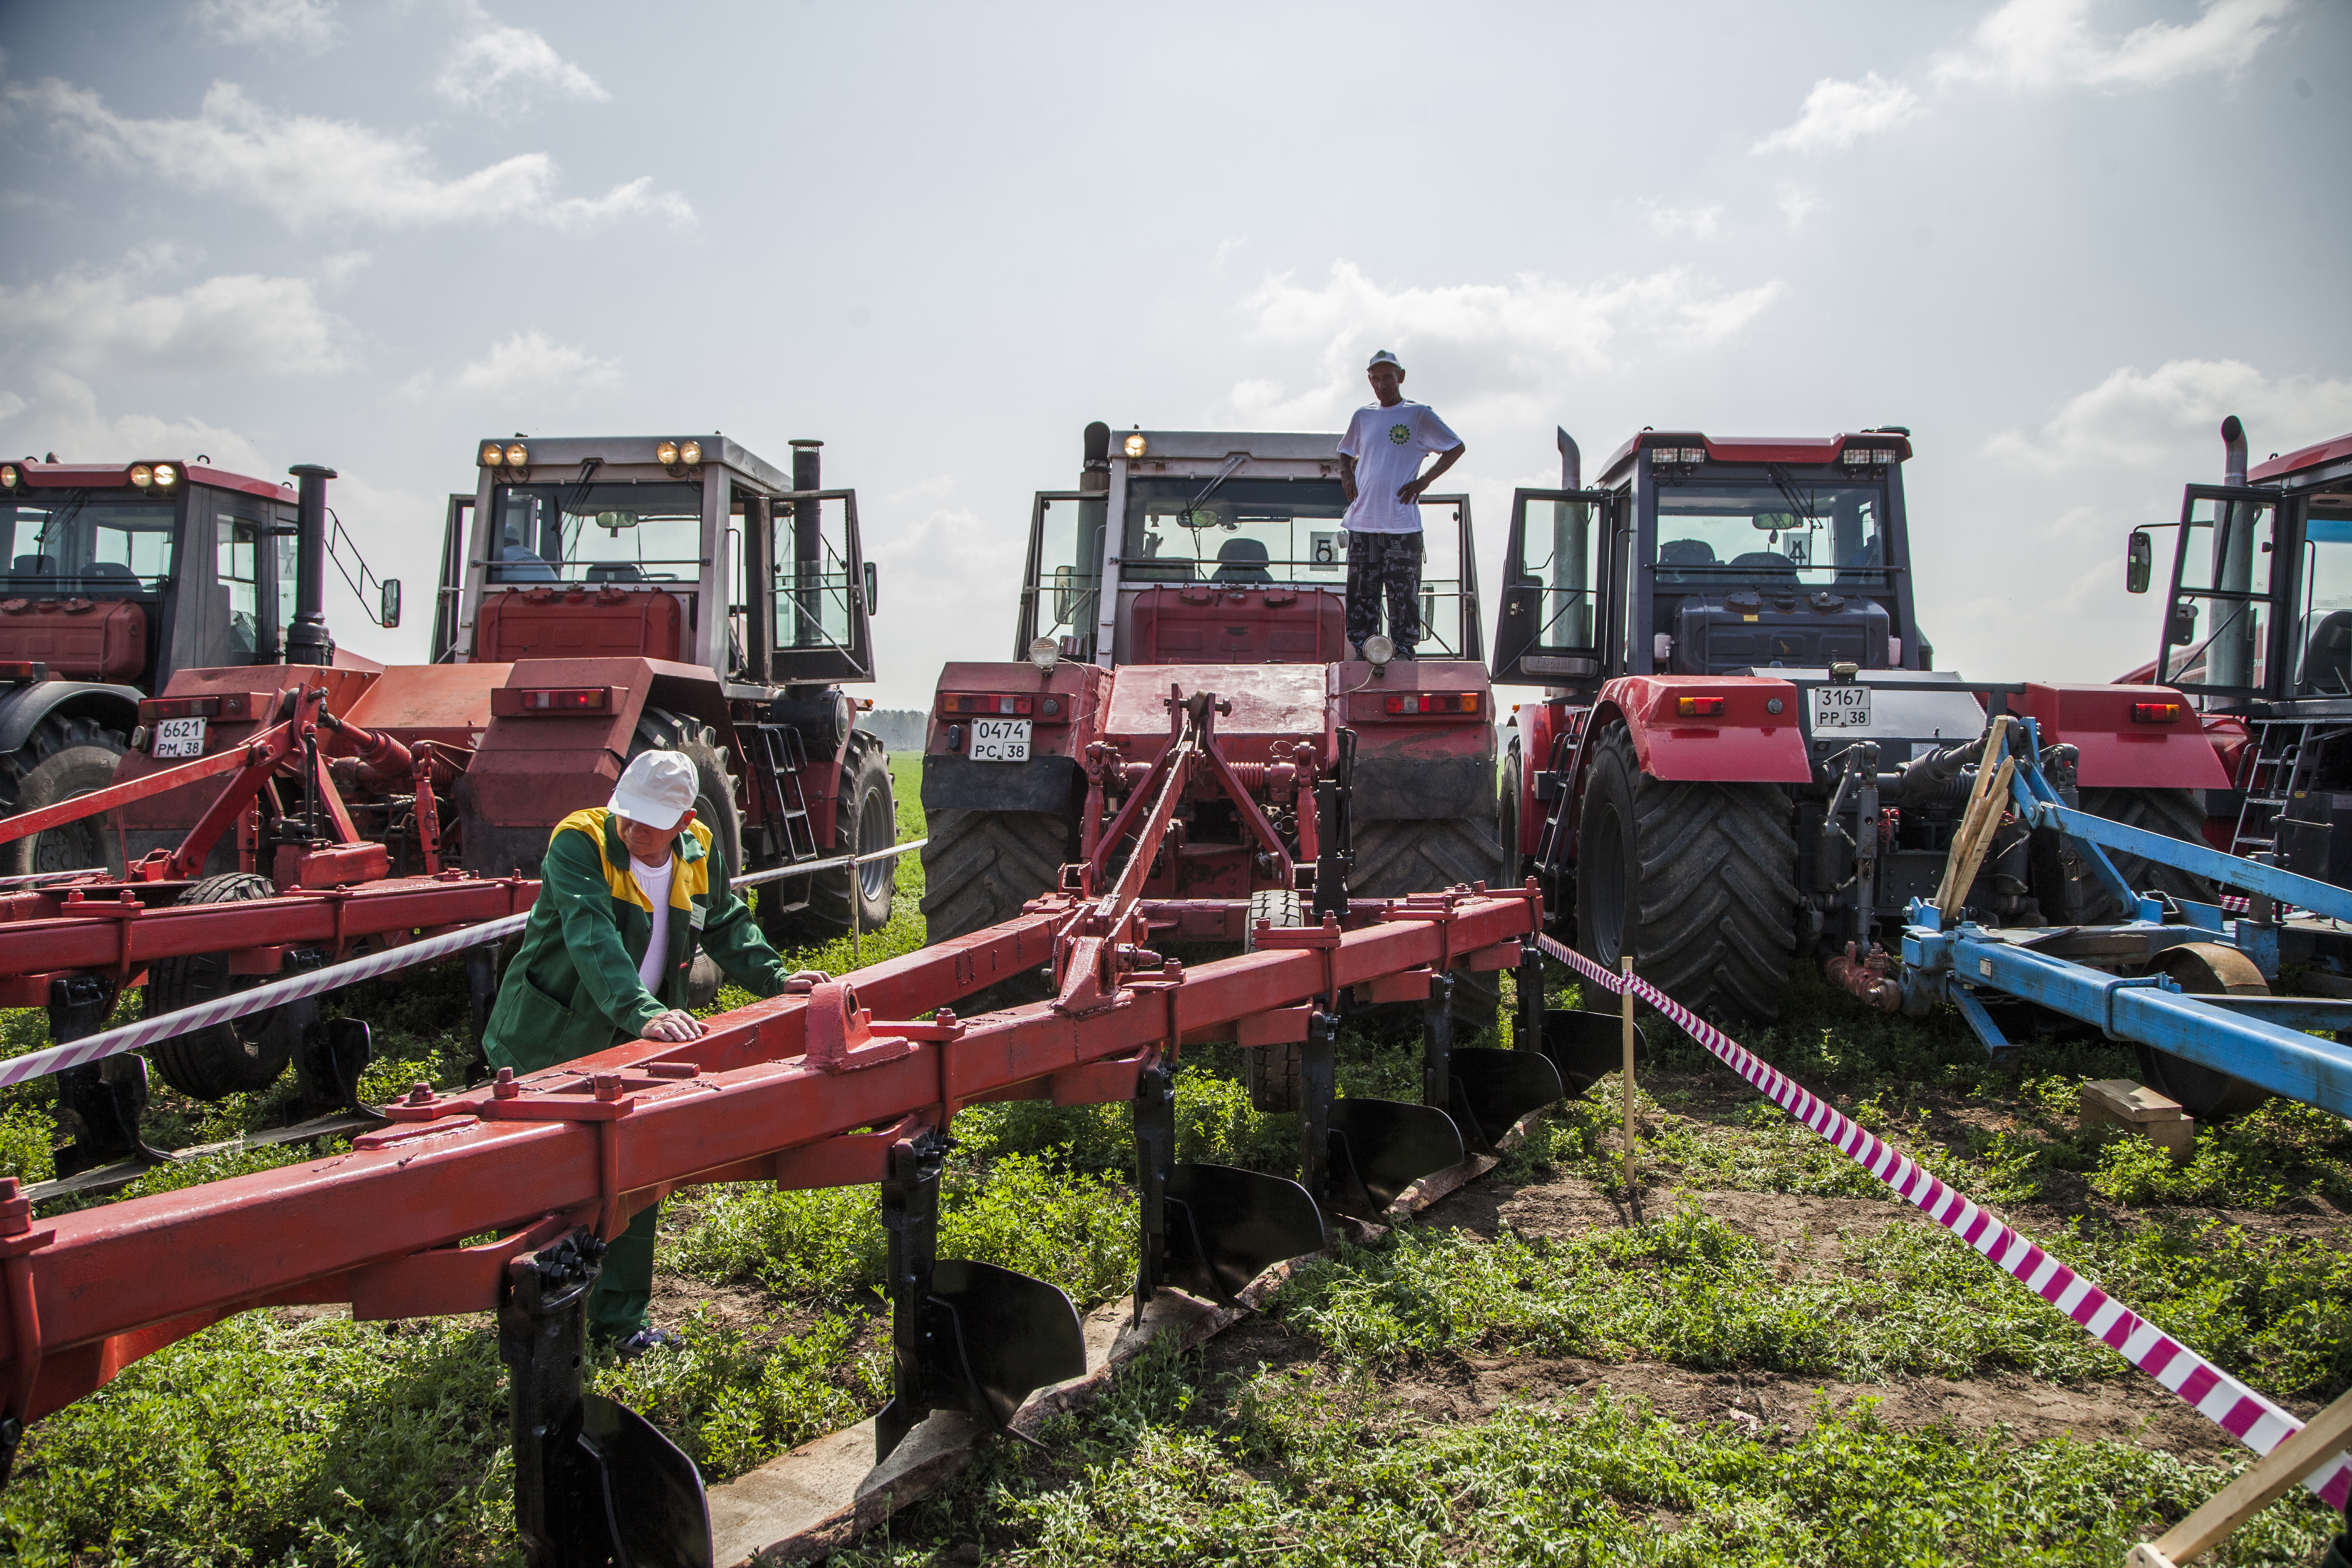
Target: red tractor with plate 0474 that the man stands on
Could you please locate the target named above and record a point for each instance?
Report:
(1212, 563)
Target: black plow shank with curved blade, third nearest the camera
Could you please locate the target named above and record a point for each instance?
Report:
(1208, 1231)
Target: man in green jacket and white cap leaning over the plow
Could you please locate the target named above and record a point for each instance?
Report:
(627, 897)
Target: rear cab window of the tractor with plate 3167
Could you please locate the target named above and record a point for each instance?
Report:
(1770, 532)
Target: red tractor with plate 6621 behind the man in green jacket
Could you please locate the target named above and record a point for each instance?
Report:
(599, 598)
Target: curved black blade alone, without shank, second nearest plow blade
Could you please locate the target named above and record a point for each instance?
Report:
(991, 1339)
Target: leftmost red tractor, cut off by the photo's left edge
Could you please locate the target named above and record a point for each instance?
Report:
(116, 577)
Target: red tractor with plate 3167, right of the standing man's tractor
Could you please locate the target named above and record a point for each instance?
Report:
(1744, 753)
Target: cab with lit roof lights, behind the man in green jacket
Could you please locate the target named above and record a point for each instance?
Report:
(674, 549)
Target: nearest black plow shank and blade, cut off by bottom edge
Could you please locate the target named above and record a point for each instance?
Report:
(596, 1485)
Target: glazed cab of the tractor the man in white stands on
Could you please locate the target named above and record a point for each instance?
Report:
(1229, 549)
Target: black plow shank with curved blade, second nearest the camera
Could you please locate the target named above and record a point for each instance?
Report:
(965, 1336)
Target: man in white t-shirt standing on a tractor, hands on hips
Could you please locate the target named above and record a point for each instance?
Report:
(1379, 469)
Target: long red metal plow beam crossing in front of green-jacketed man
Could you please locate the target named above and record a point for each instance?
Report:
(603, 1137)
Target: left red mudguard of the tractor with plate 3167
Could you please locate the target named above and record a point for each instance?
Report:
(1744, 742)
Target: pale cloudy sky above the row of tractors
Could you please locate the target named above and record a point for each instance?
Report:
(2059, 239)
